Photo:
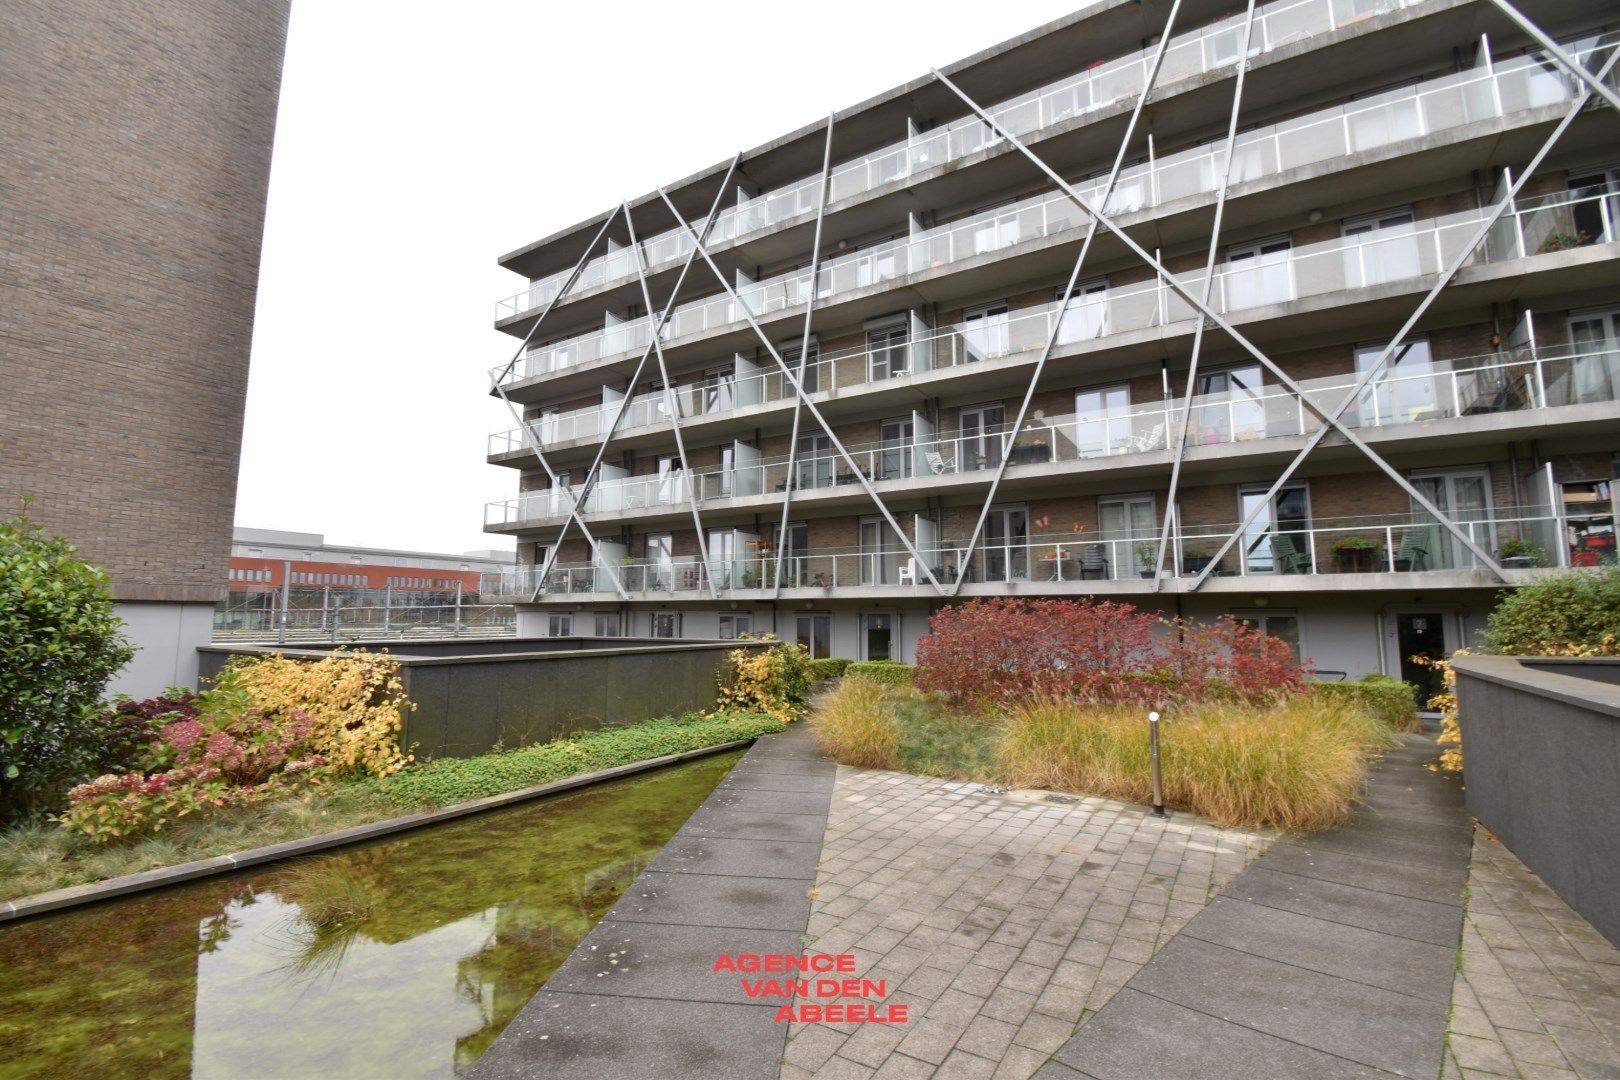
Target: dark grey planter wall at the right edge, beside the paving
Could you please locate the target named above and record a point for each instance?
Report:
(1541, 767)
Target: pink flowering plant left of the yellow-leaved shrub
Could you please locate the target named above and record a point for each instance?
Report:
(220, 750)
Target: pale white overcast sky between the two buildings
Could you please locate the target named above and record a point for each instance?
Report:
(419, 142)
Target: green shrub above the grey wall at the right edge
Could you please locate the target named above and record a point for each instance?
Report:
(1564, 614)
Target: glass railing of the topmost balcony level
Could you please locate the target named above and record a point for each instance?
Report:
(1190, 56)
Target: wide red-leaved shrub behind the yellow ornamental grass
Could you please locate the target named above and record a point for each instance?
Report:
(992, 653)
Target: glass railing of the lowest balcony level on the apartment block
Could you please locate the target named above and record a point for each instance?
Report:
(1407, 543)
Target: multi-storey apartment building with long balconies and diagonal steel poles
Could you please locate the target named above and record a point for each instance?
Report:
(843, 381)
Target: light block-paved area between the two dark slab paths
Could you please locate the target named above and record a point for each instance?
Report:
(1002, 922)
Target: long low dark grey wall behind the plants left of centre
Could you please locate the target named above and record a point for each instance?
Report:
(475, 695)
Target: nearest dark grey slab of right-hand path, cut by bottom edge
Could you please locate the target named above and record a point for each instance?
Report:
(1140, 1037)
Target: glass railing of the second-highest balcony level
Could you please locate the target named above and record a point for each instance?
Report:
(1516, 87)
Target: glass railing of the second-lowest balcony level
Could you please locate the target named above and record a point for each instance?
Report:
(1498, 383)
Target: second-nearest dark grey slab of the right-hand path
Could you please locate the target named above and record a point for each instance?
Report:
(1336, 1016)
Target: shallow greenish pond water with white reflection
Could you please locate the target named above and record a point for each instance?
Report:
(441, 937)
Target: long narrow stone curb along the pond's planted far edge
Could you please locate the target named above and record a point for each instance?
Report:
(92, 893)
